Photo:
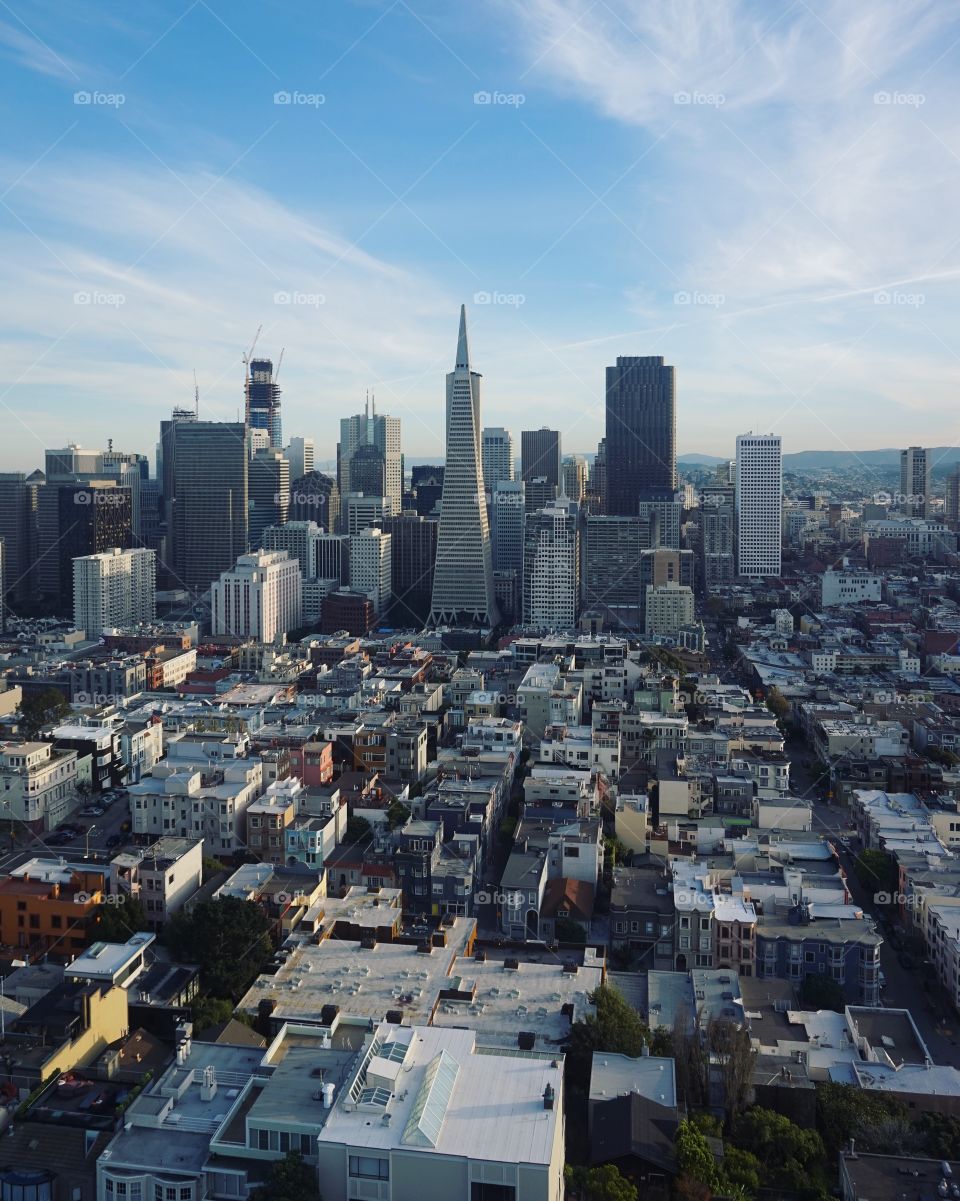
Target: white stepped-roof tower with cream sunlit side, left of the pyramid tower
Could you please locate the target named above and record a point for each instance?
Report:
(259, 599)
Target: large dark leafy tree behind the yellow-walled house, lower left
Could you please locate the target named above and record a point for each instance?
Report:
(230, 941)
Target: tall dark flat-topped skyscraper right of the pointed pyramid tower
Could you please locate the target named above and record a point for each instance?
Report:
(641, 461)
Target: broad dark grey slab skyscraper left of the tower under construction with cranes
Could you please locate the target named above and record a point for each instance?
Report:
(211, 497)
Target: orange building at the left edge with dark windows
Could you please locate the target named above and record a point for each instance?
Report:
(47, 906)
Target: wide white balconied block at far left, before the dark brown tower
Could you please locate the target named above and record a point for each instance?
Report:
(117, 588)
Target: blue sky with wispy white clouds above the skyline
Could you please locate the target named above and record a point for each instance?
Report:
(766, 195)
